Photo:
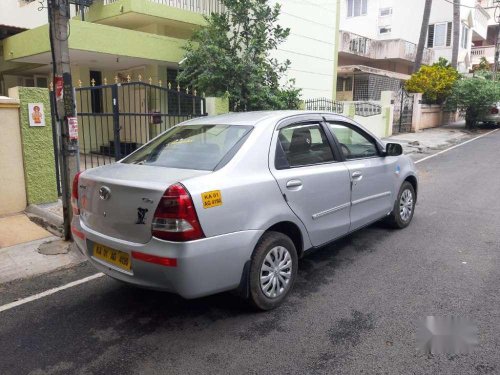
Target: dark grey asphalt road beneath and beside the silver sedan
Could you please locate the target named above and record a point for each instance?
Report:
(354, 309)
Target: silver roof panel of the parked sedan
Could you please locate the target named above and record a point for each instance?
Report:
(250, 118)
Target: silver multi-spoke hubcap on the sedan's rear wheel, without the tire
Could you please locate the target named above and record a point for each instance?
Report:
(276, 272)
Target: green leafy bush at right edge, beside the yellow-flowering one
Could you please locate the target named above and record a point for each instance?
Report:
(475, 96)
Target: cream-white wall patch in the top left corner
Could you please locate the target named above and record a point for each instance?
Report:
(21, 14)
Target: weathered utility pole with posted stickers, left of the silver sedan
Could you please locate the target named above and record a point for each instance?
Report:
(59, 16)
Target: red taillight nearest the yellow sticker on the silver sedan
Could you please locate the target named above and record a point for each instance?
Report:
(175, 218)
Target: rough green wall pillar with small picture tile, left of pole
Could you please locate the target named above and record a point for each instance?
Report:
(38, 149)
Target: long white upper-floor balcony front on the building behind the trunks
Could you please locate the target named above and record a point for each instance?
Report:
(393, 49)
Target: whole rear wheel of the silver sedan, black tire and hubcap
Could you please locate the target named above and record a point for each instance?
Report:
(273, 270)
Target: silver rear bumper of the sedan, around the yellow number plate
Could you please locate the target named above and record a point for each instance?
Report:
(204, 267)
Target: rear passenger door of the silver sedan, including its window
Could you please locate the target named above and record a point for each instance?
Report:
(314, 184)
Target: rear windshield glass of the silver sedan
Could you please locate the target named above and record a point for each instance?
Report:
(201, 147)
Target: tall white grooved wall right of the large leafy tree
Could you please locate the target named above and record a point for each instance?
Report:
(310, 46)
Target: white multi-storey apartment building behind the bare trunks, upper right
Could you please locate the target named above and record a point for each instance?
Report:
(378, 41)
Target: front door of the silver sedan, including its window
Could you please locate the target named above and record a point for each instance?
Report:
(372, 175)
